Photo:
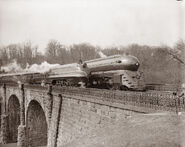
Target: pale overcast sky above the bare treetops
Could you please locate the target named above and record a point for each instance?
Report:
(99, 22)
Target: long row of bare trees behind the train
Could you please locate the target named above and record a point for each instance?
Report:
(160, 64)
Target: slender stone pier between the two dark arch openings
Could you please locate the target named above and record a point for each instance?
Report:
(21, 140)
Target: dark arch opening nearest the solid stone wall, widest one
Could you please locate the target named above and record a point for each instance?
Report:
(36, 125)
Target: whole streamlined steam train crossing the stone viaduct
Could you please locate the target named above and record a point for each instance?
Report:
(118, 72)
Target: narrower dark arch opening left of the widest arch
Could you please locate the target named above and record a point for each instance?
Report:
(13, 118)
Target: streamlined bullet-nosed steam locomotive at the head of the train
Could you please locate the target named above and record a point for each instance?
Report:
(115, 72)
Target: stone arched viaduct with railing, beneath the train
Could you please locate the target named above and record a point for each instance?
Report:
(52, 116)
